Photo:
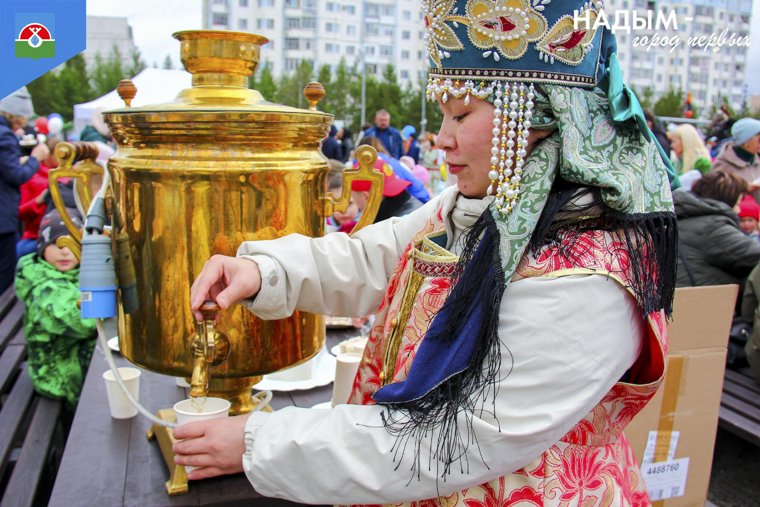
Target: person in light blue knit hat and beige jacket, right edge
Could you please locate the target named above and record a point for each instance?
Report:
(742, 156)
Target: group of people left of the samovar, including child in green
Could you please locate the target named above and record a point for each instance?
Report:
(46, 276)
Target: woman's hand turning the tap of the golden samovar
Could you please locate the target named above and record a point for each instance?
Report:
(226, 280)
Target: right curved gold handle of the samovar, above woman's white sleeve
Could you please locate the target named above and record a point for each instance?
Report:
(366, 156)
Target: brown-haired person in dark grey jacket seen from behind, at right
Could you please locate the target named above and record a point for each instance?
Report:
(713, 250)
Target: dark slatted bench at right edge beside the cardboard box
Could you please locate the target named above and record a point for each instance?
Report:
(740, 405)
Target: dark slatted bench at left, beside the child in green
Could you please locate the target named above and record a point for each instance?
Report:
(31, 433)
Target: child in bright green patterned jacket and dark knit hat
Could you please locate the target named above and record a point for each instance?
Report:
(59, 341)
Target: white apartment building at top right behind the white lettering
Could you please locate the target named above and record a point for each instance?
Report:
(709, 73)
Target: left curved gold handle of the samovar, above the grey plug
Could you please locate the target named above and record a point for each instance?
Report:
(83, 155)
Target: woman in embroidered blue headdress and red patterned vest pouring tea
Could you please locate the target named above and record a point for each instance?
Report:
(520, 315)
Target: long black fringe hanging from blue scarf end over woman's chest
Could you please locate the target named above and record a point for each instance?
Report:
(479, 281)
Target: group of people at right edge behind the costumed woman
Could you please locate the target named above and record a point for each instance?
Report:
(718, 214)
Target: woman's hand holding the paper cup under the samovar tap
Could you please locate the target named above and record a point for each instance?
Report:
(215, 446)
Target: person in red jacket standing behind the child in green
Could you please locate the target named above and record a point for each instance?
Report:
(33, 202)
